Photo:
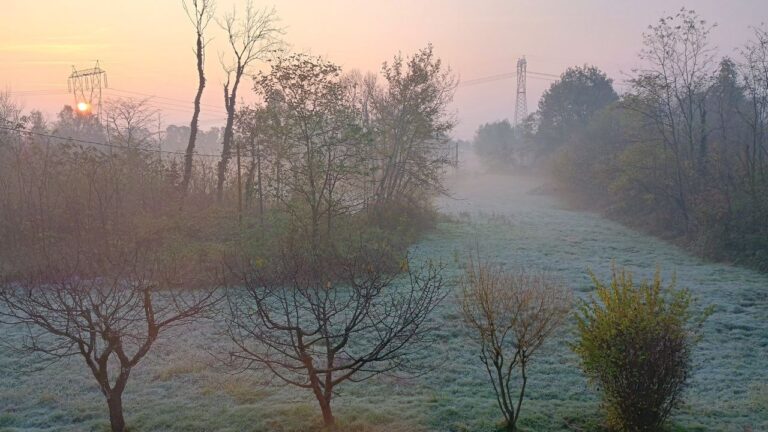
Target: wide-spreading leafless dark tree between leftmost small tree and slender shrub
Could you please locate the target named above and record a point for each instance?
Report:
(315, 328)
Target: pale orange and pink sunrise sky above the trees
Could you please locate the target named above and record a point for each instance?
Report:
(145, 46)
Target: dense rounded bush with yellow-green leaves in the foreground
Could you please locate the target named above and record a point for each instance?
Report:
(635, 343)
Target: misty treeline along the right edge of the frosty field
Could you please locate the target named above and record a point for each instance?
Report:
(681, 153)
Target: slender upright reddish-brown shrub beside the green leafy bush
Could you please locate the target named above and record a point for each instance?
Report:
(511, 314)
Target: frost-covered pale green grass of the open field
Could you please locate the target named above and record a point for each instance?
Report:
(181, 387)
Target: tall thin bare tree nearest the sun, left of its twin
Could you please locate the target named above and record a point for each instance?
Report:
(200, 15)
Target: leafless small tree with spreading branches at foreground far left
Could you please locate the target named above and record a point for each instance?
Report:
(109, 312)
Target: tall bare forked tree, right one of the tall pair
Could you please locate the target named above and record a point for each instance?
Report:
(251, 39)
